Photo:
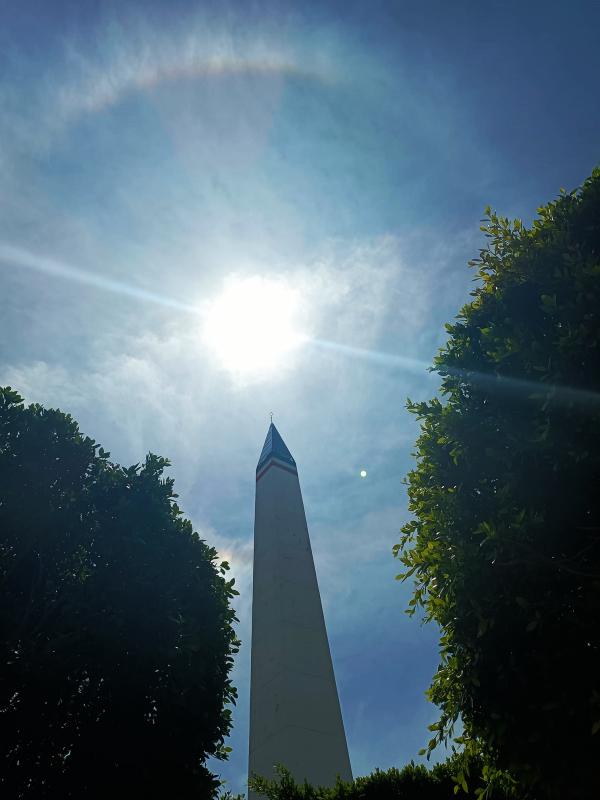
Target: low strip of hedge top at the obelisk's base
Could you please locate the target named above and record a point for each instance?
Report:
(413, 782)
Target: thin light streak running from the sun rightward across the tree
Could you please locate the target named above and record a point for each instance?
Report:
(502, 384)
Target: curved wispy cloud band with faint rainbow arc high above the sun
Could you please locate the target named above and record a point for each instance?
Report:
(135, 57)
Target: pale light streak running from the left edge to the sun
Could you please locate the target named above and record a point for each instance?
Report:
(11, 256)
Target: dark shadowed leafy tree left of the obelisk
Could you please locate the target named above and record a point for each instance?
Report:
(115, 619)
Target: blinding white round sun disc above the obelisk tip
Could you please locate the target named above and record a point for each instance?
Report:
(251, 326)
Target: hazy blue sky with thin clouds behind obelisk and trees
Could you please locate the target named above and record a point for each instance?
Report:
(329, 164)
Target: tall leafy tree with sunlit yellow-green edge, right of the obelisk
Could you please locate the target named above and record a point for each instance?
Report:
(504, 546)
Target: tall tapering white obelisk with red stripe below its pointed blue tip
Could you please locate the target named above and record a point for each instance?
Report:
(295, 716)
